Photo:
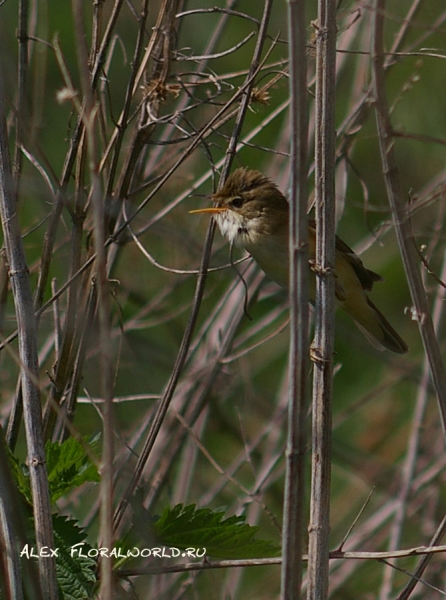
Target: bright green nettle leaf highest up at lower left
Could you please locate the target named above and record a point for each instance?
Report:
(68, 466)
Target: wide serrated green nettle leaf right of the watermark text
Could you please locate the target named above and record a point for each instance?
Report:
(186, 527)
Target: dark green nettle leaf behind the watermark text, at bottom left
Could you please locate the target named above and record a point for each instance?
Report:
(76, 571)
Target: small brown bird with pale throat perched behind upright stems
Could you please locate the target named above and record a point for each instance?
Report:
(252, 212)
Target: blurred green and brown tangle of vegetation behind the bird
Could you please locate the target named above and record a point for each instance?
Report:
(232, 390)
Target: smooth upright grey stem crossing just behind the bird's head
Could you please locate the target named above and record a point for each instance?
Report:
(298, 368)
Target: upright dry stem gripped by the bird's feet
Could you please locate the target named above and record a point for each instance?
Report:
(322, 354)
